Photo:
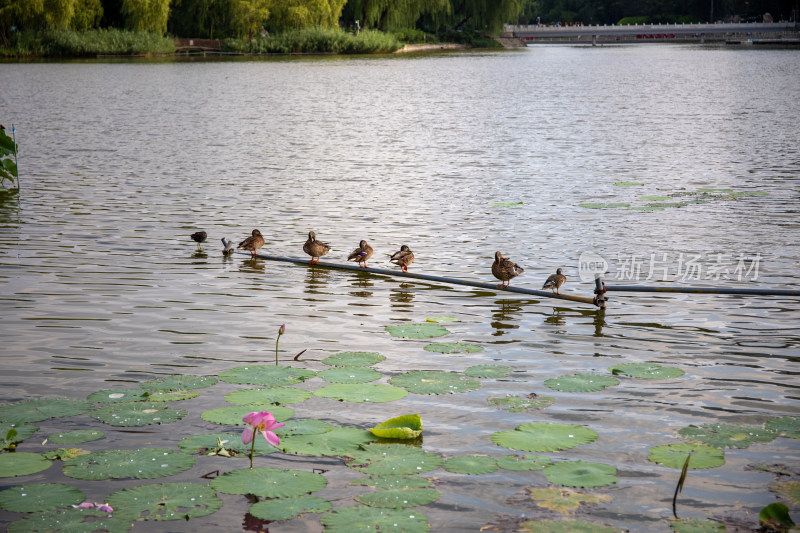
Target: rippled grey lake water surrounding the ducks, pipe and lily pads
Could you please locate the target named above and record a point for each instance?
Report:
(121, 161)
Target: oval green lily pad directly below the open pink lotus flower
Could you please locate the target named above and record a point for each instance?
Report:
(269, 482)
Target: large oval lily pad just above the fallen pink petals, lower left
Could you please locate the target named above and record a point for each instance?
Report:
(146, 463)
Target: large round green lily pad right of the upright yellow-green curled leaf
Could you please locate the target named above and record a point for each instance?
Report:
(544, 437)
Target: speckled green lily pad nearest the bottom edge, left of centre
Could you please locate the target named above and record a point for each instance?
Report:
(359, 518)
